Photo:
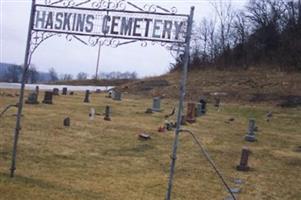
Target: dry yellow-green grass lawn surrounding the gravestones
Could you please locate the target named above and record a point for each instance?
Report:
(105, 160)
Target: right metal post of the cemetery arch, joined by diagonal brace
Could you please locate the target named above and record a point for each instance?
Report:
(181, 105)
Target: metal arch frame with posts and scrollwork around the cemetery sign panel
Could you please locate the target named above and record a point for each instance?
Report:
(40, 36)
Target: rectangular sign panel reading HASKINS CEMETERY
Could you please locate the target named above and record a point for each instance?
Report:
(112, 23)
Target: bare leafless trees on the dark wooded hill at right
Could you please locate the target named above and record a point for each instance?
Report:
(265, 33)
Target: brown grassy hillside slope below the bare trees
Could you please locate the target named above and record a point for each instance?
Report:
(237, 85)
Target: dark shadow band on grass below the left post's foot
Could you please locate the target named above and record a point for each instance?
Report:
(31, 182)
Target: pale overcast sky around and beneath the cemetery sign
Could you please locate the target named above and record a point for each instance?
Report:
(73, 57)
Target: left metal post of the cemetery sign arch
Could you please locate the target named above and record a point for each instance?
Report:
(20, 104)
